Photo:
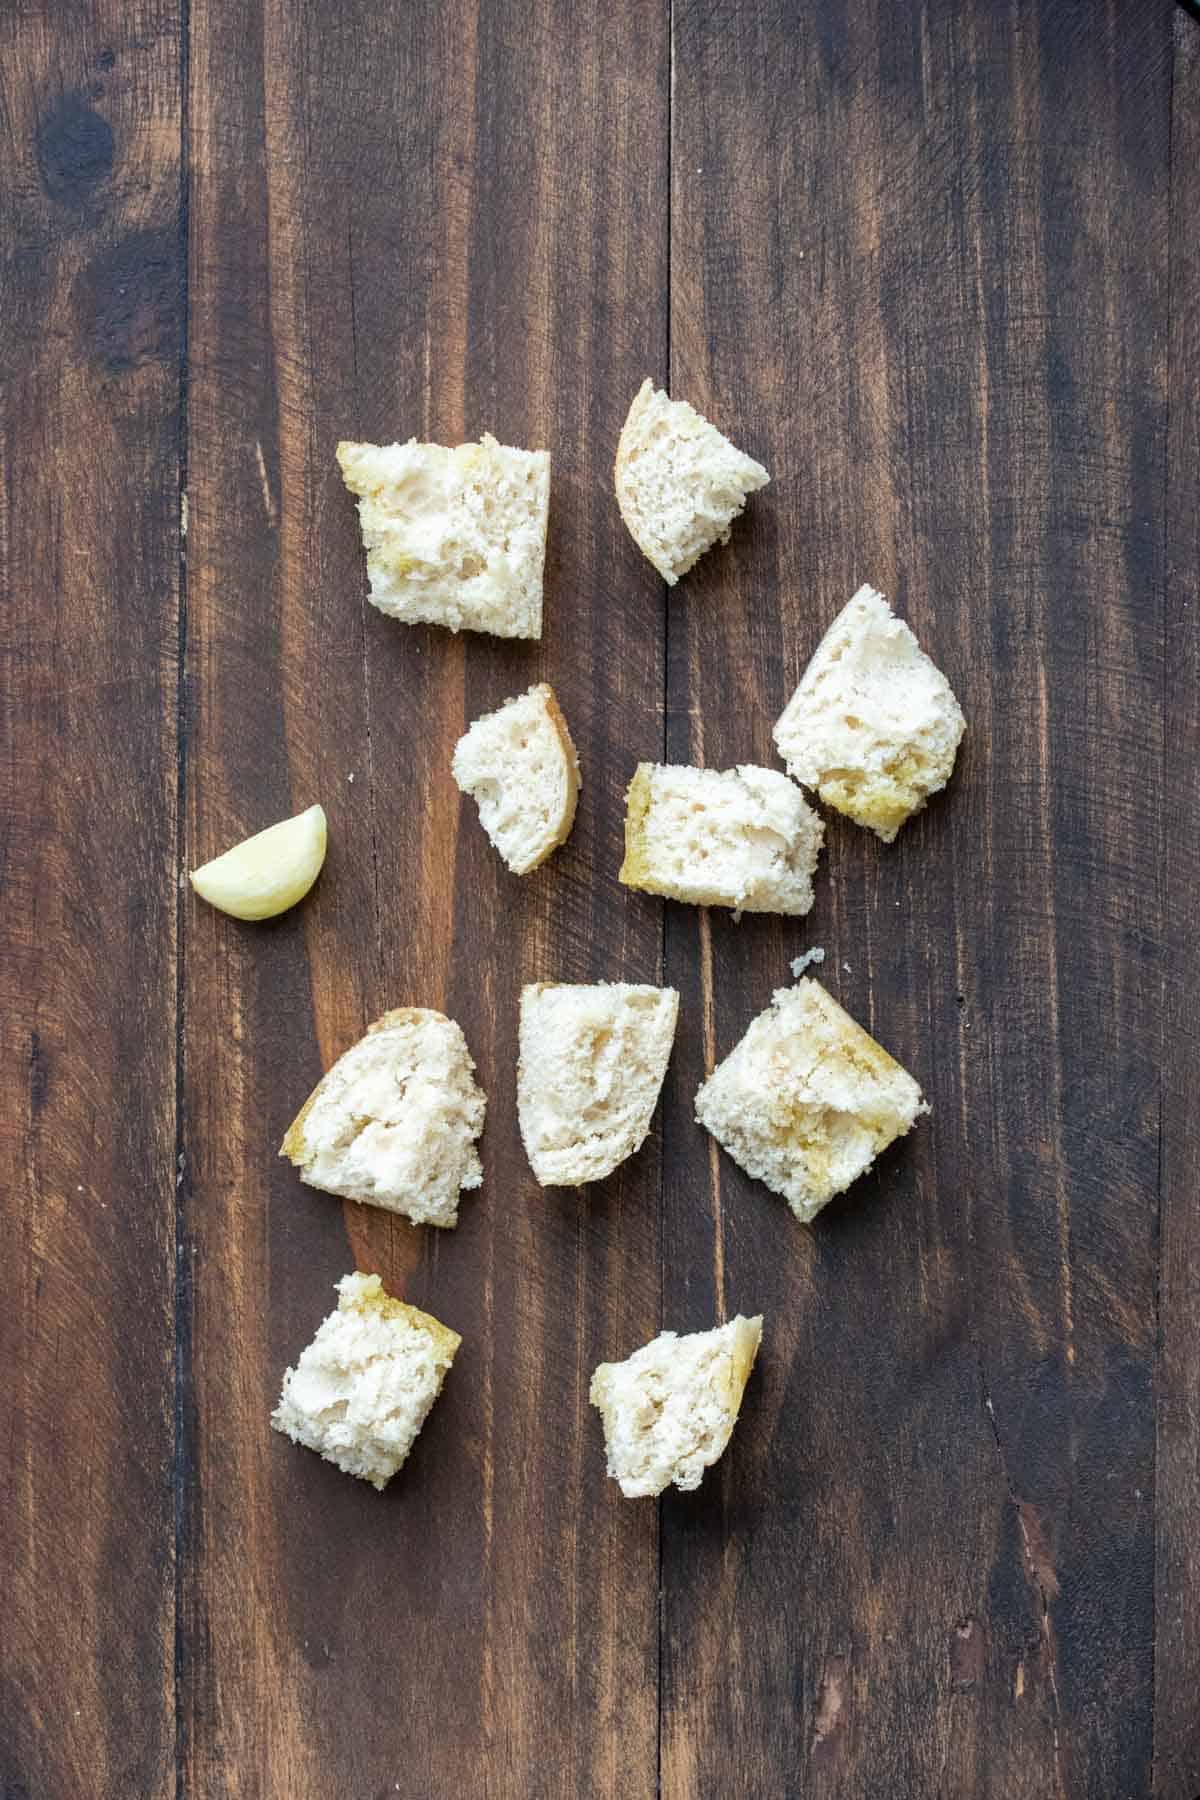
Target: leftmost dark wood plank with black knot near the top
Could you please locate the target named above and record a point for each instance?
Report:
(91, 298)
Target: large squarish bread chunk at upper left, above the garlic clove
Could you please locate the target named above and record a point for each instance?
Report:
(454, 537)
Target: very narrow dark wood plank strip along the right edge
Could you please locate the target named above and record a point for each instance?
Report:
(1178, 1506)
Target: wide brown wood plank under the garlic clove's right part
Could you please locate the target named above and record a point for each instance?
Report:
(413, 220)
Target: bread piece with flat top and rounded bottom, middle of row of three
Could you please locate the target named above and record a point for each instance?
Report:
(589, 1075)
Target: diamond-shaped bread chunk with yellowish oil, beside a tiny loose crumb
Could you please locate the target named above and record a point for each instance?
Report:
(807, 1101)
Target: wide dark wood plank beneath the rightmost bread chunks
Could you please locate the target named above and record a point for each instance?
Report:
(918, 265)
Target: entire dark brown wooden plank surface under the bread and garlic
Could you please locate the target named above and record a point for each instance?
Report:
(938, 265)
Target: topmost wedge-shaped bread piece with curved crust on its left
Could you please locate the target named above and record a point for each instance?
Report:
(681, 483)
